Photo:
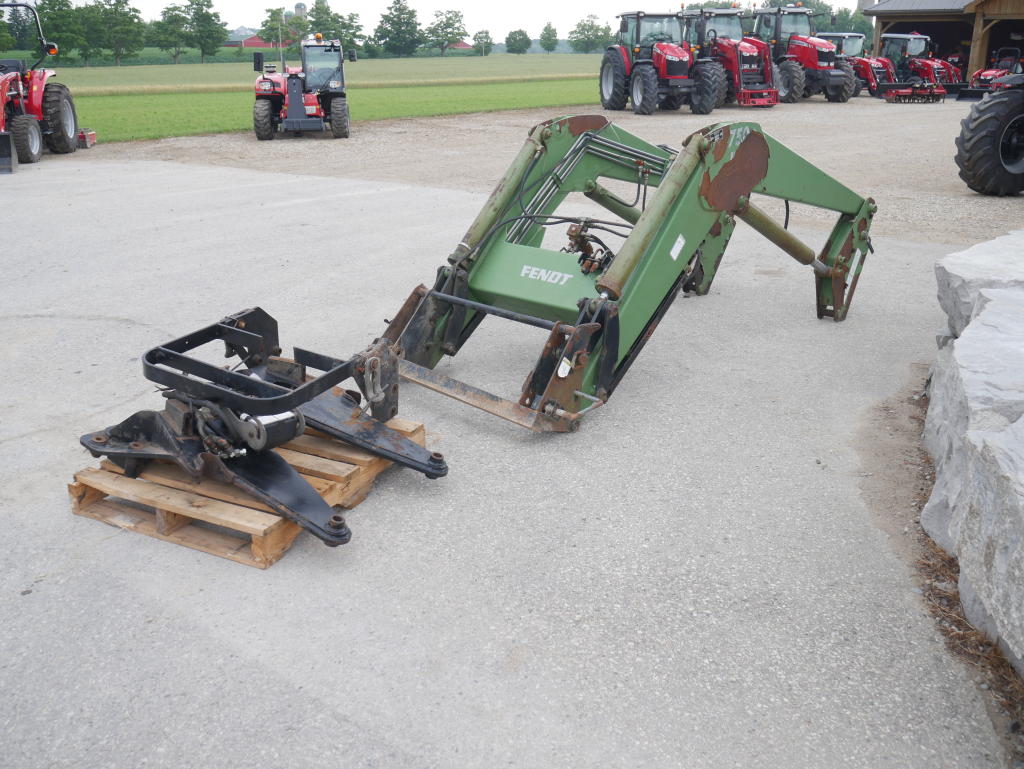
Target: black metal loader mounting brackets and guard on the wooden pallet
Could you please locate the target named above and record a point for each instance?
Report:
(225, 424)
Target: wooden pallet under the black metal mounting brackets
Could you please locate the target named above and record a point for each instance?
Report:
(163, 502)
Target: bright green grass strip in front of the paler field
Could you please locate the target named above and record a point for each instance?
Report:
(129, 117)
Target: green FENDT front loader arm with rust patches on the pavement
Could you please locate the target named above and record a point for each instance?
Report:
(603, 304)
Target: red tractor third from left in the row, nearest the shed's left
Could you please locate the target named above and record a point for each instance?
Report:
(807, 65)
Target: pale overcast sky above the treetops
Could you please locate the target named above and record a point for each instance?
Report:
(498, 18)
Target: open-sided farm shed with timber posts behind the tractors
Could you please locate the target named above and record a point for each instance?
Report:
(976, 26)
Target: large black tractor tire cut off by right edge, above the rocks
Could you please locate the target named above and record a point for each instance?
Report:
(991, 148)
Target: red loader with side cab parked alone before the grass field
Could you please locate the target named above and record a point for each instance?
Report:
(309, 98)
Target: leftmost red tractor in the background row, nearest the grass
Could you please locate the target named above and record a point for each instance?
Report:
(652, 66)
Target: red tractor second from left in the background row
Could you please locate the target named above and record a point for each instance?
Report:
(718, 34)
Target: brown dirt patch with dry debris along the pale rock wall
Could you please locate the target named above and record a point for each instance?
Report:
(898, 482)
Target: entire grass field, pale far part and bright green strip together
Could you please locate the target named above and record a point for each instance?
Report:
(147, 103)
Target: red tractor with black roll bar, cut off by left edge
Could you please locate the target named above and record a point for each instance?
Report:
(34, 111)
